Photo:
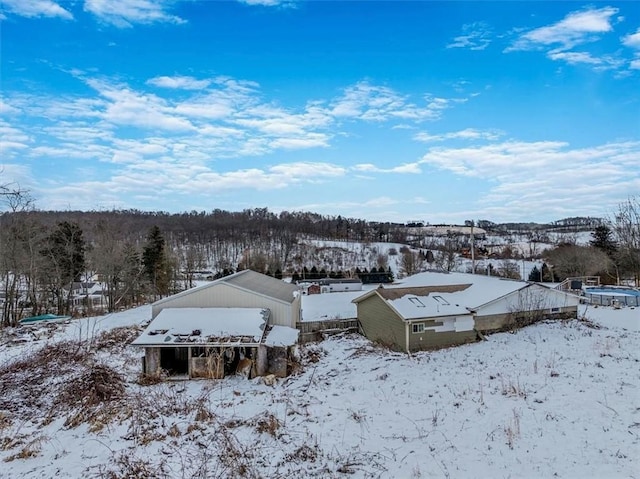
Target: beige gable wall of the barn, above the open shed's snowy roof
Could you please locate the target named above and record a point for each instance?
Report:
(225, 296)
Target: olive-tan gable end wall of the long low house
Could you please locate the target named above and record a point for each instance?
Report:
(380, 323)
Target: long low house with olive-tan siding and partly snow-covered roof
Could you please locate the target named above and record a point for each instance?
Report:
(432, 310)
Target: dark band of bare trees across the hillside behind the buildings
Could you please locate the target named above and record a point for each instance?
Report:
(141, 256)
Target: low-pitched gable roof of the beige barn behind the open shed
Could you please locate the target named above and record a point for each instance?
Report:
(251, 281)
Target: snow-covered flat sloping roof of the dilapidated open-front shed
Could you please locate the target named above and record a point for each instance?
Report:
(174, 326)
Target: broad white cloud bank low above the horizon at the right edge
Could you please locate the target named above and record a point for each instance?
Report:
(547, 174)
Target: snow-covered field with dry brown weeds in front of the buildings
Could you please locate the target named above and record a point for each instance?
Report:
(557, 399)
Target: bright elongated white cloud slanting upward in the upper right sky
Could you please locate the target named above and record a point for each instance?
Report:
(576, 28)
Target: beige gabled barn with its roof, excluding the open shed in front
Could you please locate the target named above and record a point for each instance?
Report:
(245, 289)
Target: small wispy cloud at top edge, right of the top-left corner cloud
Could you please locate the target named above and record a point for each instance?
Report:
(125, 13)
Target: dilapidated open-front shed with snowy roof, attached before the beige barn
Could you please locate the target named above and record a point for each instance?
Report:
(215, 342)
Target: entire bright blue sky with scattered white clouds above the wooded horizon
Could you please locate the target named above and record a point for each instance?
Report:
(390, 111)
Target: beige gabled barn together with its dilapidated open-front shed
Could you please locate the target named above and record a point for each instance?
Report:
(243, 323)
